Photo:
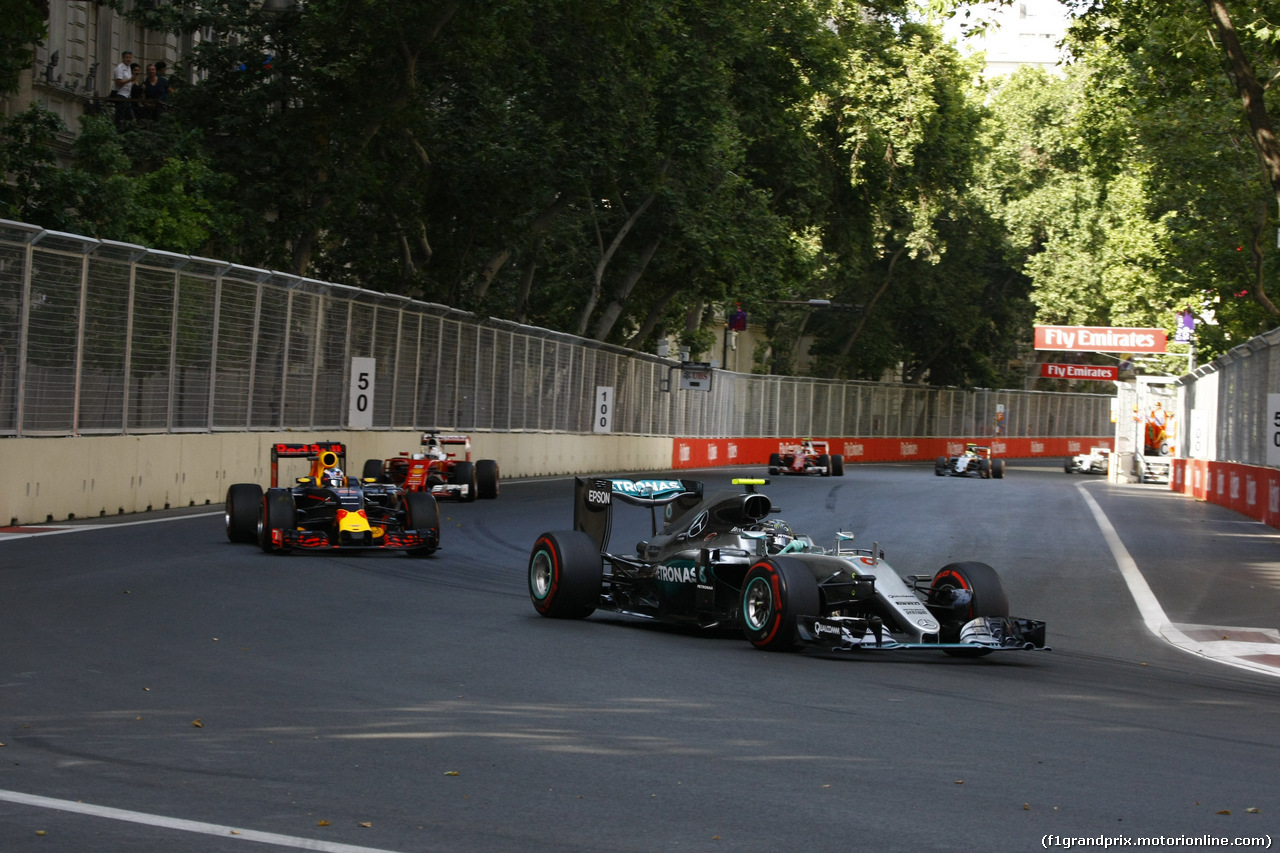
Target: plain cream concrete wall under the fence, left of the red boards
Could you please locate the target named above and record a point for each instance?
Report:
(56, 480)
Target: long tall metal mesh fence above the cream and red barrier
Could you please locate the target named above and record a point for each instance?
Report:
(100, 337)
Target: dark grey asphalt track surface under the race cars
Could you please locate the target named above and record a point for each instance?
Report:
(163, 690)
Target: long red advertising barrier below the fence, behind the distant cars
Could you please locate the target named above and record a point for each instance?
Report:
(714, 453)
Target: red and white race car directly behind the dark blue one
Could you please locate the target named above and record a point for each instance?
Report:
(444, 468)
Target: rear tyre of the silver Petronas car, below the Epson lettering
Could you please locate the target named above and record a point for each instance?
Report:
(566, 574)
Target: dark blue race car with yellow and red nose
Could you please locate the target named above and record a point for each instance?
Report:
(328, 512)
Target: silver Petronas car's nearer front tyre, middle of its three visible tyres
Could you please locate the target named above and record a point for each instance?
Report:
(775, 592)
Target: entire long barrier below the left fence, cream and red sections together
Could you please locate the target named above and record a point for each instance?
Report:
(57, 480)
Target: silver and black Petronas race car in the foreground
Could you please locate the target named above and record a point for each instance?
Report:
(720, 562)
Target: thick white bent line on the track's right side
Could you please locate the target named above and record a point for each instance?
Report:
(1224, 651)
